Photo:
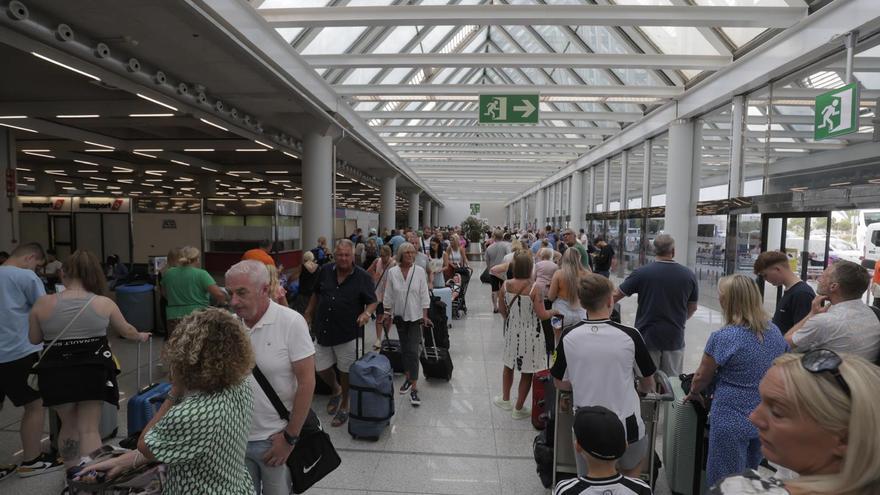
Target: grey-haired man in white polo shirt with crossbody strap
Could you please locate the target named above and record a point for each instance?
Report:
(284, 353)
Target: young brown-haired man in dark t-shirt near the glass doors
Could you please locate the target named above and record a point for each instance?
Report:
(798, 297)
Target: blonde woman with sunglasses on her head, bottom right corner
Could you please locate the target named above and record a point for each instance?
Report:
(818, 416)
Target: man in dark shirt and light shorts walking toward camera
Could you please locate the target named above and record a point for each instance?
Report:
(343, 301)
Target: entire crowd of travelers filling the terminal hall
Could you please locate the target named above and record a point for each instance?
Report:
(793, 390)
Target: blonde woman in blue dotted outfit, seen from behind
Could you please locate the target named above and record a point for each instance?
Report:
(736, 357)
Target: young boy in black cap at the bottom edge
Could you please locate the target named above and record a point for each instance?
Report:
(601, 441)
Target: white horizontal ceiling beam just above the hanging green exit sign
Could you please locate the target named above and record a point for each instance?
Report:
(516, 89)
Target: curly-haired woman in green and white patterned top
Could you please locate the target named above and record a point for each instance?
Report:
(201, 430)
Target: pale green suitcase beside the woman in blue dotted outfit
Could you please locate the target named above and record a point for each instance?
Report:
(684, 445)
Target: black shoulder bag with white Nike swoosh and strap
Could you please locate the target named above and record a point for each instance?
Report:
(313, 456)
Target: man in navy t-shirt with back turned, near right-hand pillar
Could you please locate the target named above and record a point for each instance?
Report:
(668, 295)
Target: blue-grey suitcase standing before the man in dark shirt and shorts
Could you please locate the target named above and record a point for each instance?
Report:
(371, 396)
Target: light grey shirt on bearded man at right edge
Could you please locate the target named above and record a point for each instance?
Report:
(848, 326)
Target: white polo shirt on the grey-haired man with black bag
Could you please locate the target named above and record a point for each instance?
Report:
(280, 338)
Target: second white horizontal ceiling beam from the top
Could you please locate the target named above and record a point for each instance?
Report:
(521, 60)
